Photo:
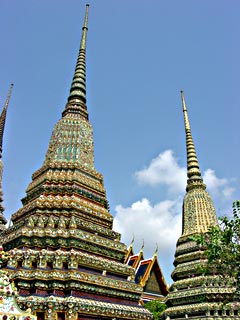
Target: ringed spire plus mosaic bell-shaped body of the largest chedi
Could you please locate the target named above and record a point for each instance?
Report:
(72, 137)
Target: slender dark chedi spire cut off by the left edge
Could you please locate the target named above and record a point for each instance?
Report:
(3, 221)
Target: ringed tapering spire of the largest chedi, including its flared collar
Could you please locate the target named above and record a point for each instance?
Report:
(77, 97)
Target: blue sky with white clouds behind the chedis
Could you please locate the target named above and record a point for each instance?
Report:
(140, 54)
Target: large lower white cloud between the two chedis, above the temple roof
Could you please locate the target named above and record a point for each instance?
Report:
(159, 223)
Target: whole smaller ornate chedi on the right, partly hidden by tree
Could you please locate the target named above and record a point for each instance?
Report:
(193, 295)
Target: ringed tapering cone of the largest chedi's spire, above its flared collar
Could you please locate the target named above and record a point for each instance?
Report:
(78, 87)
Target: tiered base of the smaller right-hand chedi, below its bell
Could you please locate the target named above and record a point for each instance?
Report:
(195, 296)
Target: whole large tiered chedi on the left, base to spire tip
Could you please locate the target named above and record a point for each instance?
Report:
(66, 260)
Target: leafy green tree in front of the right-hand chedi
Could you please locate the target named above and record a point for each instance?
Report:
(222, 247)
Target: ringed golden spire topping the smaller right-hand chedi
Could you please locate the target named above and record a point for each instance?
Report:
(193, 169)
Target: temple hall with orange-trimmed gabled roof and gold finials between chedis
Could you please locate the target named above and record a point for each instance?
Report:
(148, 274)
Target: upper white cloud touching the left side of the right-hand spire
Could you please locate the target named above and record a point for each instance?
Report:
(164, 170)
